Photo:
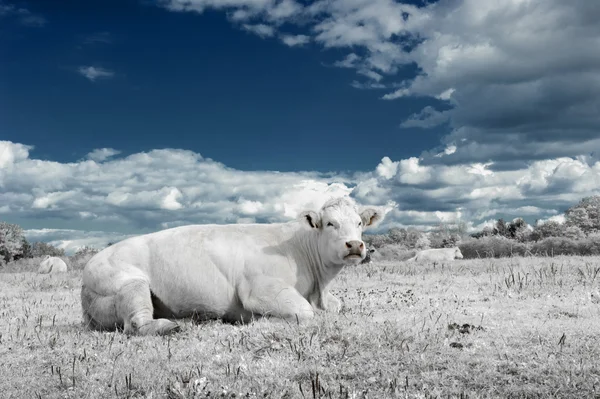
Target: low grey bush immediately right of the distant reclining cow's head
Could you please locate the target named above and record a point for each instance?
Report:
(492, 247)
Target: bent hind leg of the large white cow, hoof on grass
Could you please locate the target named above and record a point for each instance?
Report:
(134, 307)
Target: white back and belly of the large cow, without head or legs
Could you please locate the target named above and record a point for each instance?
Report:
(190, 265)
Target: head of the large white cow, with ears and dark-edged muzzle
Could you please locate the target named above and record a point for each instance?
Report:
(340, 226)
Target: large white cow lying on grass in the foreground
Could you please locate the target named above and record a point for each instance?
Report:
(232, 272)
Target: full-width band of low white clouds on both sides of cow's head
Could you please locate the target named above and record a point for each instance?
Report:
(153, 190)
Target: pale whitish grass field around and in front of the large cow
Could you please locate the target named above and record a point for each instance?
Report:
(519, 327)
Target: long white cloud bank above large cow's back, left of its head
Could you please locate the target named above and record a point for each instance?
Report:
(147, 191)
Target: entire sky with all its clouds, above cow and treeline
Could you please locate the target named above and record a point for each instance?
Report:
(124, 117)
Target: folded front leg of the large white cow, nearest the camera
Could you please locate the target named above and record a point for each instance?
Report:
(271, 296)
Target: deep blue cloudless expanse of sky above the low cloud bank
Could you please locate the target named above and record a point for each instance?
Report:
(183, 80)
